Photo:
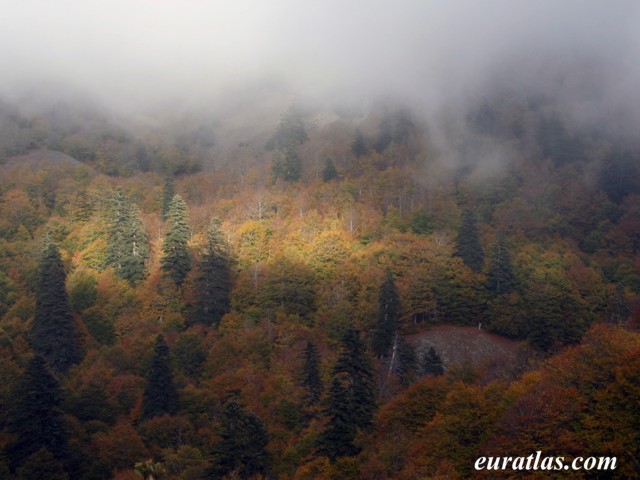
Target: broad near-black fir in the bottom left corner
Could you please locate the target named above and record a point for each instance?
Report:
(36, 419)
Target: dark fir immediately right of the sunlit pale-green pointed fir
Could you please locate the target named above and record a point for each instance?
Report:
(213, 282)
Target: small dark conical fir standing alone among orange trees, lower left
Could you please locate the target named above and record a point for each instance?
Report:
(160, 395)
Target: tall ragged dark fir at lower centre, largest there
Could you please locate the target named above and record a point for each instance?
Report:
(351, 401)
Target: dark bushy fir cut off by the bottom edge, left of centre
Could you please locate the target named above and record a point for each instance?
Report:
(241, 449)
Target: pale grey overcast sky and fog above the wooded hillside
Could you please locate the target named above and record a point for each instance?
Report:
(126, 51)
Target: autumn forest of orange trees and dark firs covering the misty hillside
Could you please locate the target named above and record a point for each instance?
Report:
(189, 301)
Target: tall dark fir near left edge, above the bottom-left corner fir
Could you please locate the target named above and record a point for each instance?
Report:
(53, 332)
